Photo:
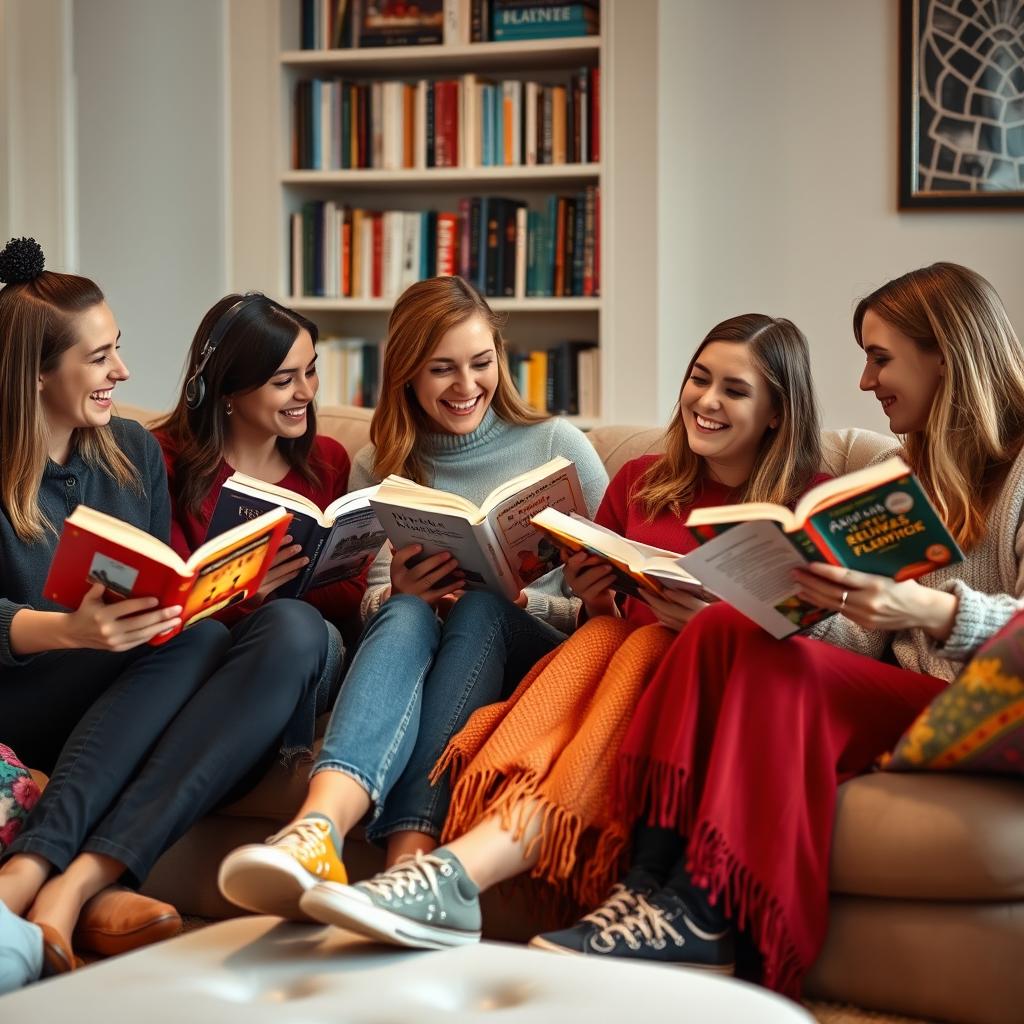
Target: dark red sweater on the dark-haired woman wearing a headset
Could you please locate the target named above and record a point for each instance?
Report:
(336, 602)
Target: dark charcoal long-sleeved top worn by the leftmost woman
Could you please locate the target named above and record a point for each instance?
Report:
(24, 566)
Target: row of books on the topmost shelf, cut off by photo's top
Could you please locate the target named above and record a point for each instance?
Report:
(347, 24)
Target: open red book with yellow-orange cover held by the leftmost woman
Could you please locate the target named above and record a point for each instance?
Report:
(99, 548)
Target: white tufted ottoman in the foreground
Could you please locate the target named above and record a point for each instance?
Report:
(255, 970)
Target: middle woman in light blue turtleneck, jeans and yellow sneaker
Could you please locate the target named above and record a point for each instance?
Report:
(450, 417)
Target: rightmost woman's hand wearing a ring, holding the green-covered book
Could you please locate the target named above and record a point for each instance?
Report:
(877, 603)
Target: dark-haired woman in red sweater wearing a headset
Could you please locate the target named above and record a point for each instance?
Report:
(247, 406)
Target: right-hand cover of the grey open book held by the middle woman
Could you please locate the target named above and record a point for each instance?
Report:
(529, 553)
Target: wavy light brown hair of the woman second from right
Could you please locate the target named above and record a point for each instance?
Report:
(790, 455)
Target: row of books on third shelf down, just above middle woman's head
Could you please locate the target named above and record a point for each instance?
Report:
(498, 244)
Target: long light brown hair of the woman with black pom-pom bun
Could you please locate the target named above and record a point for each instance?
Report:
(37, 327)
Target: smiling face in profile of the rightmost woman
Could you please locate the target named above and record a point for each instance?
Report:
(904, 376)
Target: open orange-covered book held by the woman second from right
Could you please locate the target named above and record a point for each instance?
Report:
(636, 567)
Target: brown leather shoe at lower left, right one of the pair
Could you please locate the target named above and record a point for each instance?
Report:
(118, 920)
